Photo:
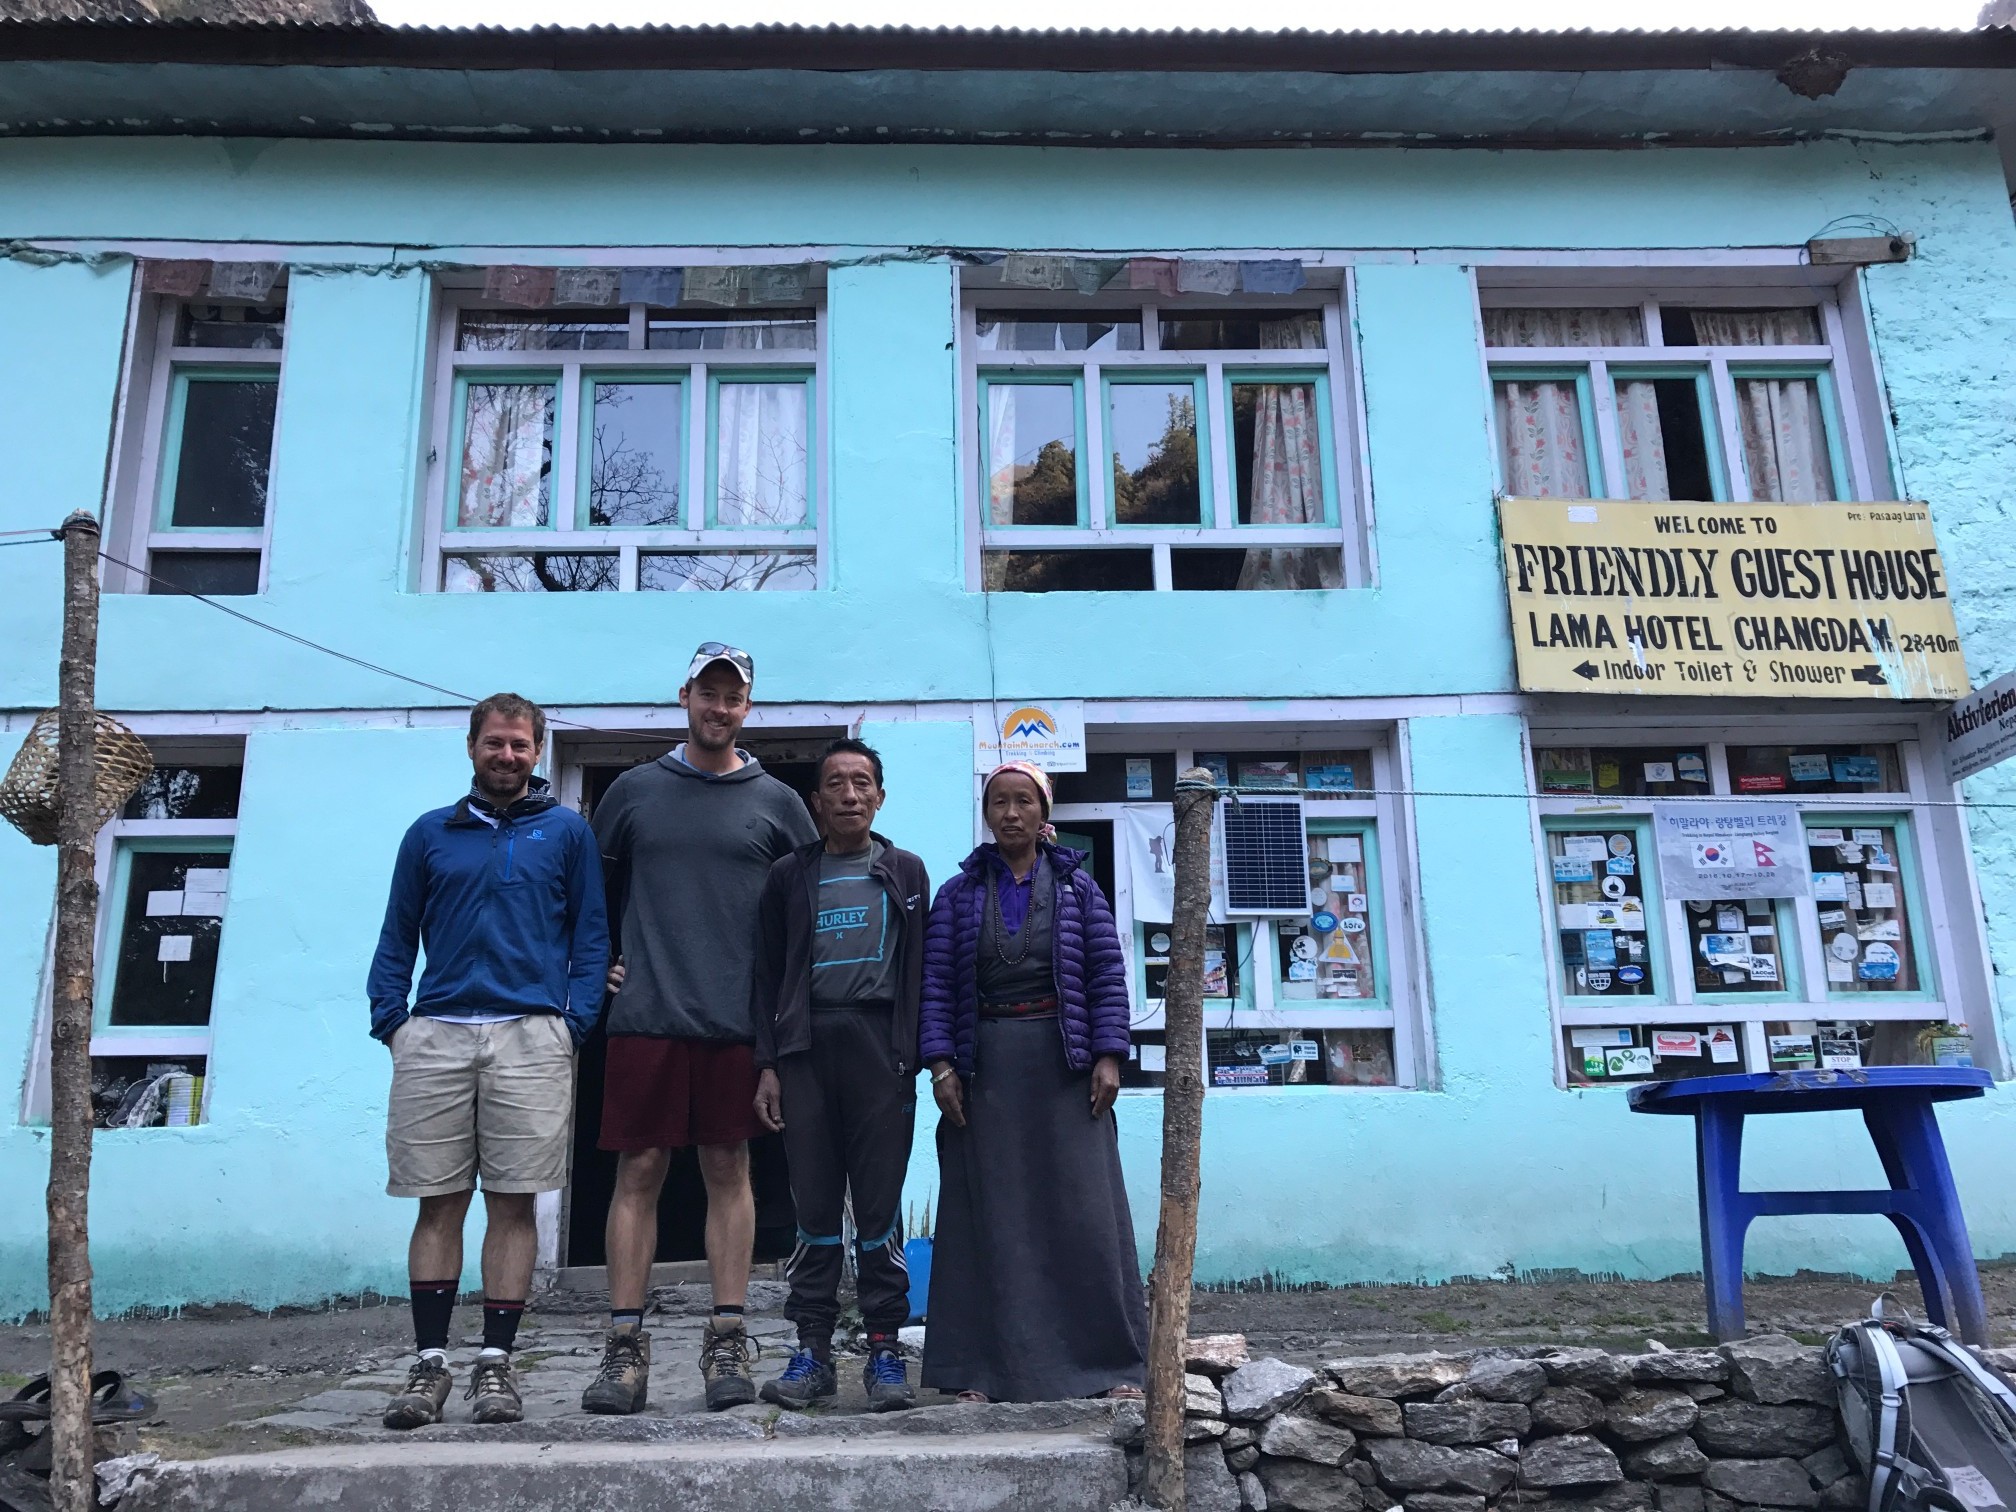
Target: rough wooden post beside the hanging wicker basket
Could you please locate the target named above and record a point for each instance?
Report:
(70, 1045)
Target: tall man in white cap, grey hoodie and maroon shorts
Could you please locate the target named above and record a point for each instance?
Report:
(686, 848)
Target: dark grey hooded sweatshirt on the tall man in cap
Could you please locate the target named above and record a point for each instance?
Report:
(684, 862)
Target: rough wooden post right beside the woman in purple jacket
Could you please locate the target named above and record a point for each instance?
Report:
(1182, 1134)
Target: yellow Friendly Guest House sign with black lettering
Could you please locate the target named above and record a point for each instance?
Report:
(1749, 600)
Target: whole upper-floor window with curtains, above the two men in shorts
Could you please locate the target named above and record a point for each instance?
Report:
(626, 449)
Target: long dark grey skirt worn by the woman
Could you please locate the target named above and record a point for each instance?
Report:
(1035, 1285)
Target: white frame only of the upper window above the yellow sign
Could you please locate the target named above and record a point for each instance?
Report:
(1846, 358)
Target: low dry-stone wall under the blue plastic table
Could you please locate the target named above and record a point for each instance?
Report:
(1700, 1430)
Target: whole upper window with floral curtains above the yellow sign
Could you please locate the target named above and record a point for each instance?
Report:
(1624, 398)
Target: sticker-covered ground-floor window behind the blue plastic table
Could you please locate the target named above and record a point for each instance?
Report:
(1658, 987)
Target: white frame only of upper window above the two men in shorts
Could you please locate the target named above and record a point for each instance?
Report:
(695, 368)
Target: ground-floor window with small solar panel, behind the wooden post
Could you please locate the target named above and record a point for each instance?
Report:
(1307, 1001)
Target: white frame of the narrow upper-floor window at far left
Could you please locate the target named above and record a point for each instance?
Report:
(142, 443)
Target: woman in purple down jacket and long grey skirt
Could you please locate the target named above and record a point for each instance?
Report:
(1035, 1283)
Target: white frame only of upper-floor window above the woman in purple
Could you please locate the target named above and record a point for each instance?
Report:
(1336, 362)
